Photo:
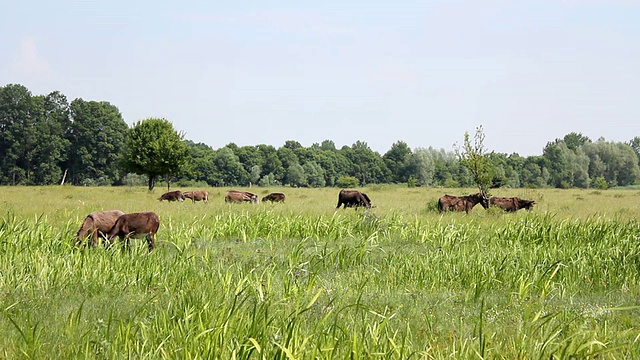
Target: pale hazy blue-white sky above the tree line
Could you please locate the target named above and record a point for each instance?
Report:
(263, 72)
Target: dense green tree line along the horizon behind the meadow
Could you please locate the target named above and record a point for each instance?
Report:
(44, 138)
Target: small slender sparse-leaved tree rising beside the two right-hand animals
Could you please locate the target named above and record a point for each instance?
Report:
(474, 158)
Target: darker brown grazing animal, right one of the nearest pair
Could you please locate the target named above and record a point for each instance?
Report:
(136, 225)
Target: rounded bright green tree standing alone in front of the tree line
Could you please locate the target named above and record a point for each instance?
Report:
(154, 148)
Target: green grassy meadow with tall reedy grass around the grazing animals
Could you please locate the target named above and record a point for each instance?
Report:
(303, 280)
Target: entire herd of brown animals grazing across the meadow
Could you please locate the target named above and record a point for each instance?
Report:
(112, 223)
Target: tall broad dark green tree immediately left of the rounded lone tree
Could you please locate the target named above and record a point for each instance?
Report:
(97, 137)
